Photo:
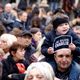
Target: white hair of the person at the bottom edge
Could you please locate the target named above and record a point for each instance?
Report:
(44, 67)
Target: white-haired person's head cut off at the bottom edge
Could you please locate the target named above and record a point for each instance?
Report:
(39, 71)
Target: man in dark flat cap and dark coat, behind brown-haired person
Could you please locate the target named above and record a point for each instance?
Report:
(26, 39)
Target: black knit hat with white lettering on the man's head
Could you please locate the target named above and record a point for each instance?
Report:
(62, 42)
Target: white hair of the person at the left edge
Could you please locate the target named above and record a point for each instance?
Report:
(9, 38)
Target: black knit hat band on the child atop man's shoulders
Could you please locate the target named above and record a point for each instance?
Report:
(59, 21)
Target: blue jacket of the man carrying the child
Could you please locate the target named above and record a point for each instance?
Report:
(73, 72)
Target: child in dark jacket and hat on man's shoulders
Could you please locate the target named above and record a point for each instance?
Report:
(61, 27)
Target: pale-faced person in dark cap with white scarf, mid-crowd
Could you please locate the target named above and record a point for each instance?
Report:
(37, 41)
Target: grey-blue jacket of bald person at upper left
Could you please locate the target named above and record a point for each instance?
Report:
(7, 20)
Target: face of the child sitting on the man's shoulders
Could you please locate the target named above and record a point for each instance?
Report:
(62, 28)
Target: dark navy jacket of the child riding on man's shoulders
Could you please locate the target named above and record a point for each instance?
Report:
(48, 42)
